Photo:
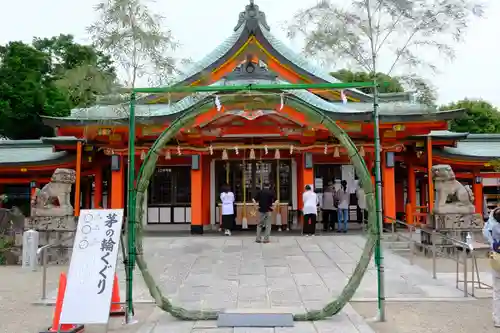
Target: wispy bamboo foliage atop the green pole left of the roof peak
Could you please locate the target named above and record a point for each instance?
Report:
(132, 35)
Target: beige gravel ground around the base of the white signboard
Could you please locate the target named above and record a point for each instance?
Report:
(19, 289)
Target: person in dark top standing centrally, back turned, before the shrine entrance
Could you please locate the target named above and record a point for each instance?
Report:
(265, 199)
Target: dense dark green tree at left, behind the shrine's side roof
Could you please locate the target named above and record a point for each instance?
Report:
(44, 79)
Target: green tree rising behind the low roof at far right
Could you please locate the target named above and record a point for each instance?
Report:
(481, 116)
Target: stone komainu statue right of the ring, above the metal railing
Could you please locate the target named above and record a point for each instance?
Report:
(451, 196)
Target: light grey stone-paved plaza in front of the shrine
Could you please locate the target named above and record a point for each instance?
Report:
(290, 274)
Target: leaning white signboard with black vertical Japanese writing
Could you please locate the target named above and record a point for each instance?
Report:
(87, 299)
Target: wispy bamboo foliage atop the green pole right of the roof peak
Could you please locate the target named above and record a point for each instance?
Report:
(404, 33)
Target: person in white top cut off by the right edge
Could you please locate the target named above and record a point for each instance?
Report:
(492, 235)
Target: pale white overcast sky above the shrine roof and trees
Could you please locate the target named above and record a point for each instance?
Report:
(200, 25)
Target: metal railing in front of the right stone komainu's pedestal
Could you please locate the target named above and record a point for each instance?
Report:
(441, 245)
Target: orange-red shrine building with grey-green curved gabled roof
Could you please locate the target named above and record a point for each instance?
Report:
(250, 137)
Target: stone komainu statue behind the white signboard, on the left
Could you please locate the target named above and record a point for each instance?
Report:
(54, 198)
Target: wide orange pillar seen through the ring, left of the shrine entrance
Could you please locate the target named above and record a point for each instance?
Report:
(197, 198)
